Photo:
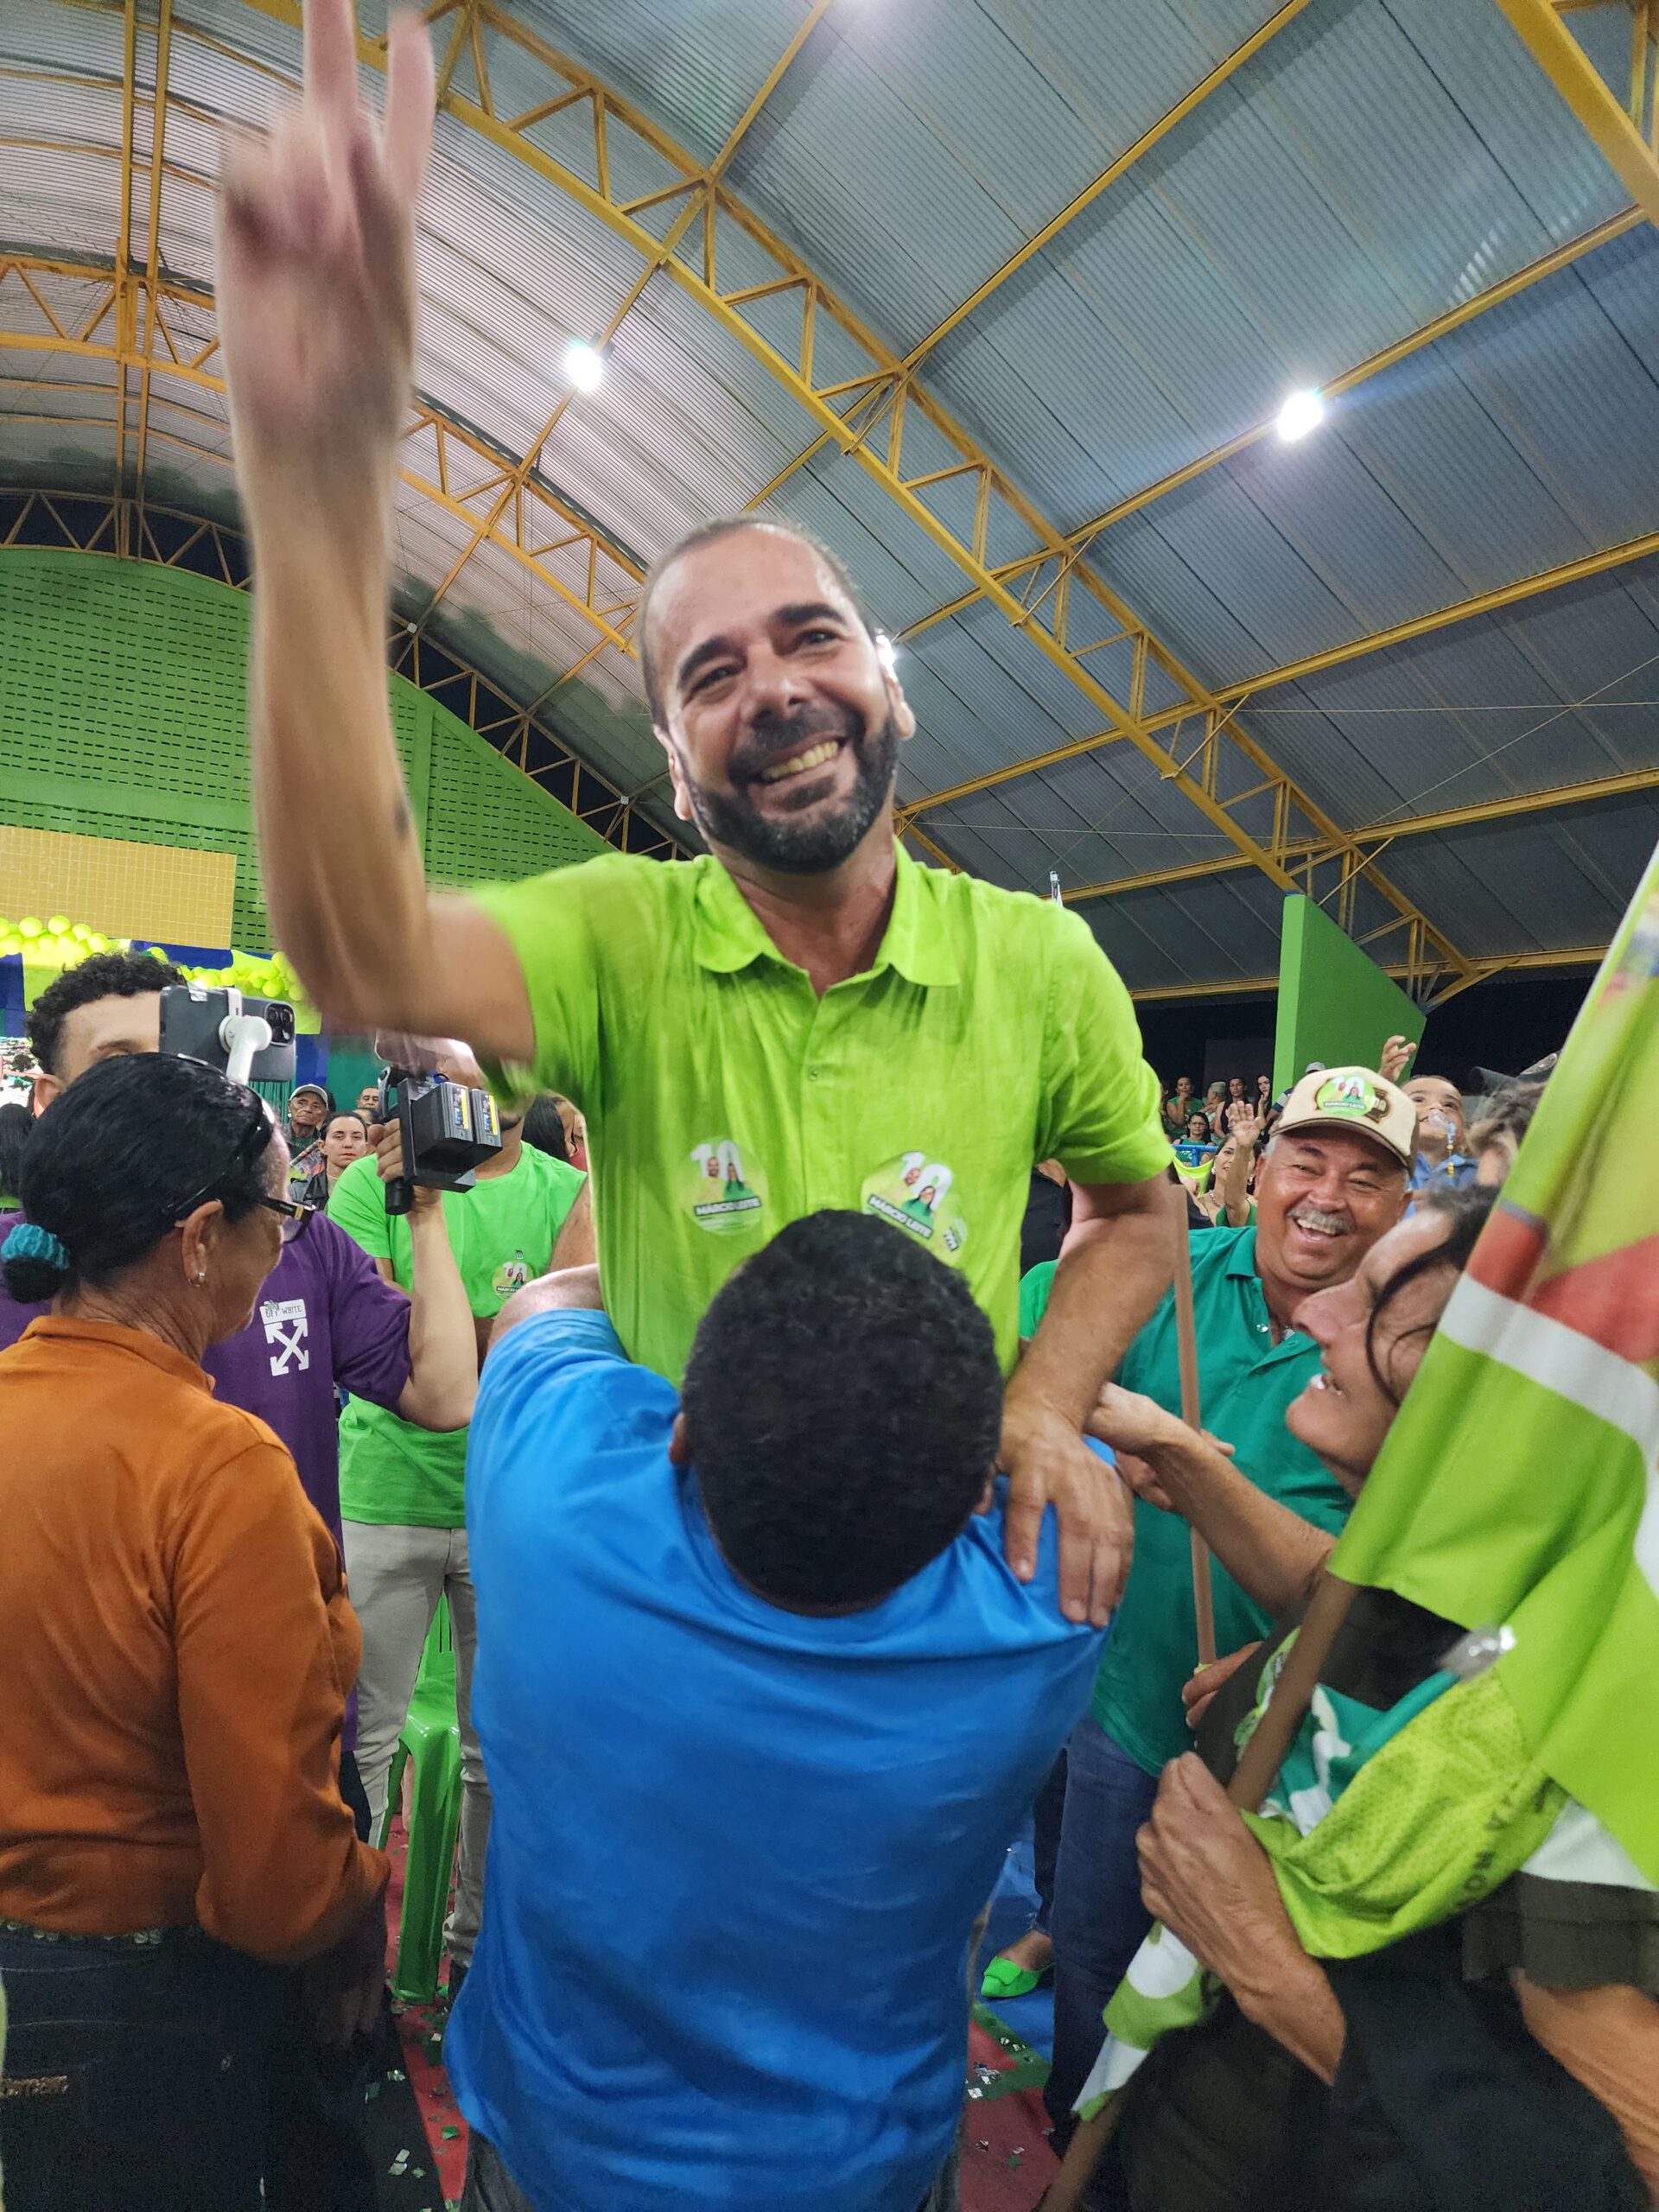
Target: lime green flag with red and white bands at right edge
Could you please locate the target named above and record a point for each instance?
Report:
(1519, 1483)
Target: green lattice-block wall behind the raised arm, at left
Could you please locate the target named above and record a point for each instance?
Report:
(125, 713)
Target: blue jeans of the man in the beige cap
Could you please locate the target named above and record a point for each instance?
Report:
(1098, 1917)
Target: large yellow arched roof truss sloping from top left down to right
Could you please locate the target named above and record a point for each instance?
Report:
(1227, 771)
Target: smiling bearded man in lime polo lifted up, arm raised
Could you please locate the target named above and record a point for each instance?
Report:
(797, 1021)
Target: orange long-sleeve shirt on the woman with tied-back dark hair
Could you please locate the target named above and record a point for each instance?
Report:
(178, 1653)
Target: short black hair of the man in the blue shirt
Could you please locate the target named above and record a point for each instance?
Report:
(842, 1406)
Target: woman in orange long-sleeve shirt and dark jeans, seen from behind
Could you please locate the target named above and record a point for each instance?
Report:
(176, 1859)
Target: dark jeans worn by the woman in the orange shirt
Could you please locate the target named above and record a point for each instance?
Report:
(134, 2076)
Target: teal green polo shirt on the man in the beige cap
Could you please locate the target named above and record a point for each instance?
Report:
(1246, 1381)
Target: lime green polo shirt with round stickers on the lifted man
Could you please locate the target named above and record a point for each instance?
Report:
(727, 1098)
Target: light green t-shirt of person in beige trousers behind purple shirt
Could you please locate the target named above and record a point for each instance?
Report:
(501, 1233)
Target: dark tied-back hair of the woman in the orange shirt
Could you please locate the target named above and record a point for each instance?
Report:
(116, 1160)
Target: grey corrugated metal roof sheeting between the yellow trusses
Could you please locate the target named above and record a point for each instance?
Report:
(1366, 171)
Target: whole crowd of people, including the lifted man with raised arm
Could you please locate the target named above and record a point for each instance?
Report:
(791, 1417)
